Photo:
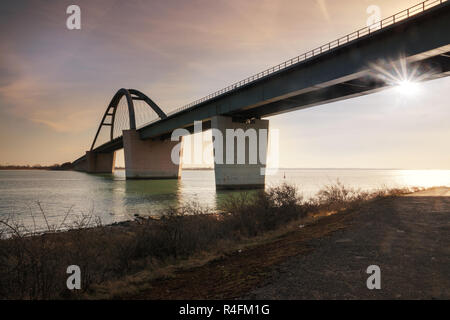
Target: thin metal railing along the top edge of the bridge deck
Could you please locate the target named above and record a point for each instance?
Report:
(398, 17)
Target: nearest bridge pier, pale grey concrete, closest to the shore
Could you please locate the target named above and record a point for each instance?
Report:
(240, 153)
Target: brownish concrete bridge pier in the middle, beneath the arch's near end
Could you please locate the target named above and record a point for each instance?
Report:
(149, 159)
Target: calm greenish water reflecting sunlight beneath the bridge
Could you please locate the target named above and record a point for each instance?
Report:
(114, 199)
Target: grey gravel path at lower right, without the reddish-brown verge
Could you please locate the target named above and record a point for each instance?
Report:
(407, 237)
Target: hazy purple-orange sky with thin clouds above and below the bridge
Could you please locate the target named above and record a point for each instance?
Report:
(56, 83)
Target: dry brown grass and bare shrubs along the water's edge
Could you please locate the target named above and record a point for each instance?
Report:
(33, 265)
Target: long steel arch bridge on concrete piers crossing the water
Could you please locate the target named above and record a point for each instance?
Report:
(412, 43)
